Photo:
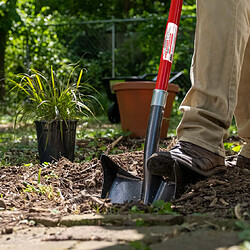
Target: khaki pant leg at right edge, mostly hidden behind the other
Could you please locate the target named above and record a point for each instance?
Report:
(242, 111)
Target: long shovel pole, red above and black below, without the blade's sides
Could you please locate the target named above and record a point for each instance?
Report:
(152, 183)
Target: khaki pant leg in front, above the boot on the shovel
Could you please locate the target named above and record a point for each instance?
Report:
(222, 33)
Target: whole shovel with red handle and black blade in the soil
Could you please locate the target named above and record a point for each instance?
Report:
(119, 185)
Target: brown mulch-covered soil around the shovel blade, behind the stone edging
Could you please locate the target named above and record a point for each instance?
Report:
(71, 188)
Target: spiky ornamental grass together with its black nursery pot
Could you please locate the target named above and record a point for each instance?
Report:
(55, 106)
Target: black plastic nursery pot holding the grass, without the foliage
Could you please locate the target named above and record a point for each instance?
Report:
(56, 139)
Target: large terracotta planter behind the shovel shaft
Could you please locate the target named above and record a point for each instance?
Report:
(134, 100)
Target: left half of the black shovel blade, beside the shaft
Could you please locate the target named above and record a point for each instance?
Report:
(119, 185)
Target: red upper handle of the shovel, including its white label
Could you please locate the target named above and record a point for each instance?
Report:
(169, 44)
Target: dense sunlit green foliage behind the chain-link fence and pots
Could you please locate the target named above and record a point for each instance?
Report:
(41, 33)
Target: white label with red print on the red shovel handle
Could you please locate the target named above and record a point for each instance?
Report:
(169, 42)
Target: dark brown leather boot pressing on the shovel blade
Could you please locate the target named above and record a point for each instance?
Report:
(190, 157)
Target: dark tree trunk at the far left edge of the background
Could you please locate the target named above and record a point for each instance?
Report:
(3, 36)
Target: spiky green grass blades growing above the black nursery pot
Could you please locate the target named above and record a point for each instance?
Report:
(51, 99)
